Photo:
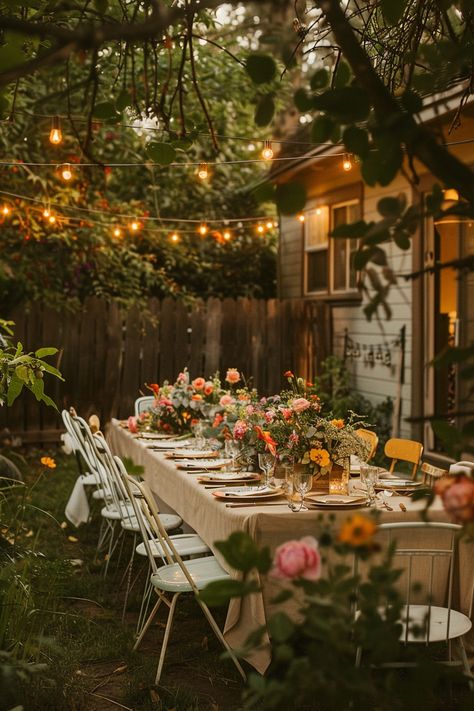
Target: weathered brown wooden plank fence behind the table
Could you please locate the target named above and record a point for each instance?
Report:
(107, 355)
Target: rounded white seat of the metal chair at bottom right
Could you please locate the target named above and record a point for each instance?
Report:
(459, 624)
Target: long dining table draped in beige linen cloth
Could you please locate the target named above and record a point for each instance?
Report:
(180, 491)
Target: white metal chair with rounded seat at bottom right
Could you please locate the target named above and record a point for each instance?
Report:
(432, 560)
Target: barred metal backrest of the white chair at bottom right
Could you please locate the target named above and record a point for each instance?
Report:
(437, 542)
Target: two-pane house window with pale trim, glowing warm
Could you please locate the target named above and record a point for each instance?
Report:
(328, 262)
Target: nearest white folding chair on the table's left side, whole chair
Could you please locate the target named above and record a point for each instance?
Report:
(175, 577)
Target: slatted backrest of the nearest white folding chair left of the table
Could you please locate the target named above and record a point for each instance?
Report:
(151, 520)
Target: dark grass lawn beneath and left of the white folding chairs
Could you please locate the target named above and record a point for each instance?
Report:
(87, 651)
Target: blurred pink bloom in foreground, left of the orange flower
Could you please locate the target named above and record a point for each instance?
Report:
(297, 559)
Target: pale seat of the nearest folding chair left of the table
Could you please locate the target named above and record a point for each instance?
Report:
(170, 578)
